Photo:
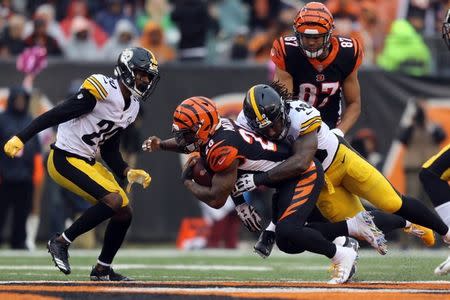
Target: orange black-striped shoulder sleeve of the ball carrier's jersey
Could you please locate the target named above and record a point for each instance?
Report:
(220, 157)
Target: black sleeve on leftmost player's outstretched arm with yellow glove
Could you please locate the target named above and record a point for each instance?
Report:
(73, 107)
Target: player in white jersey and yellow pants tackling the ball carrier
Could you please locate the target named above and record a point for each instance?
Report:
(347, 175)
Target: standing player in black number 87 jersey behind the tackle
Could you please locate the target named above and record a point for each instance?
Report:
(320, 68)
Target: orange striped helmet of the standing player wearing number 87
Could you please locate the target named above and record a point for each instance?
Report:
(314, 20)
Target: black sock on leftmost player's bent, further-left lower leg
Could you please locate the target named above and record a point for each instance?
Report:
(88, 220)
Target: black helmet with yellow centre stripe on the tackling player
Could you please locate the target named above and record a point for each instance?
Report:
(265, 111)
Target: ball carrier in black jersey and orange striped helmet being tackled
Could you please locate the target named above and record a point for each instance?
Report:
(227, 148)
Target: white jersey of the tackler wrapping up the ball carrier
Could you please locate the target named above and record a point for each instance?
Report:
(304, 119)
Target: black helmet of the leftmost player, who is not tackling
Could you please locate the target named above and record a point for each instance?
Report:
(136, 58)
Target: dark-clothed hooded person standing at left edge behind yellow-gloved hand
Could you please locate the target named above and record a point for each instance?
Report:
(18, 176)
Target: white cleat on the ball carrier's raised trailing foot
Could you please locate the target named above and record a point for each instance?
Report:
(362, 227)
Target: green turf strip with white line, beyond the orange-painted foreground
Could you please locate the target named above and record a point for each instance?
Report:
(221, 265)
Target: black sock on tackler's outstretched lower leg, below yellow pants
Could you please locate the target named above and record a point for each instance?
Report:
(416, 212)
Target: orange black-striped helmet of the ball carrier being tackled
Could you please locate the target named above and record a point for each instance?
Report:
(194, 121)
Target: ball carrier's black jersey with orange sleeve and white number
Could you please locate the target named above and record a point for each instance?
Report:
(231, 142)
